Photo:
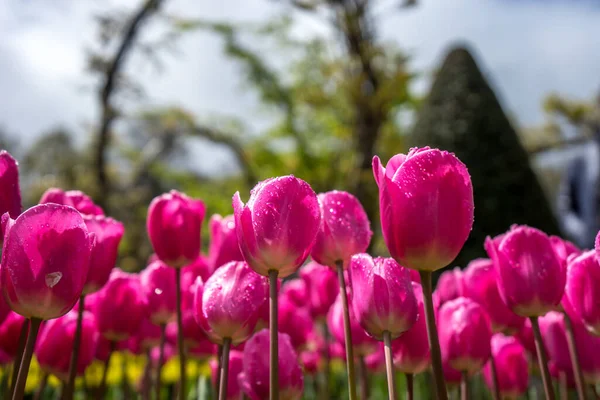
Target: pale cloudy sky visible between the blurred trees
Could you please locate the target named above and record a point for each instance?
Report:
(527, 48)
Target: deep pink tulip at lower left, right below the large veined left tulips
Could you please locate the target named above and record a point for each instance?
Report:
(121, 306)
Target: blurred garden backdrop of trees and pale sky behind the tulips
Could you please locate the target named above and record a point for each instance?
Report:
(126, 99)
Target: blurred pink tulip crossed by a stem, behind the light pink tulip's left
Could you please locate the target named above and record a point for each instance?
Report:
(362, 343)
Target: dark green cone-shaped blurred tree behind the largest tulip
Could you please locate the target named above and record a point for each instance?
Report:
(462, 115)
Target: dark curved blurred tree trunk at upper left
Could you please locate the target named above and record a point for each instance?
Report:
(108, 113)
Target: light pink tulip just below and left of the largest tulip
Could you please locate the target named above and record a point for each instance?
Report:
(383, 299)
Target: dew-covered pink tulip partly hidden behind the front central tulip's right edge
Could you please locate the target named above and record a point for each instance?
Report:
(345, 229)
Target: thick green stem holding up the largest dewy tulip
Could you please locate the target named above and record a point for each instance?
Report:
(434, 342)
